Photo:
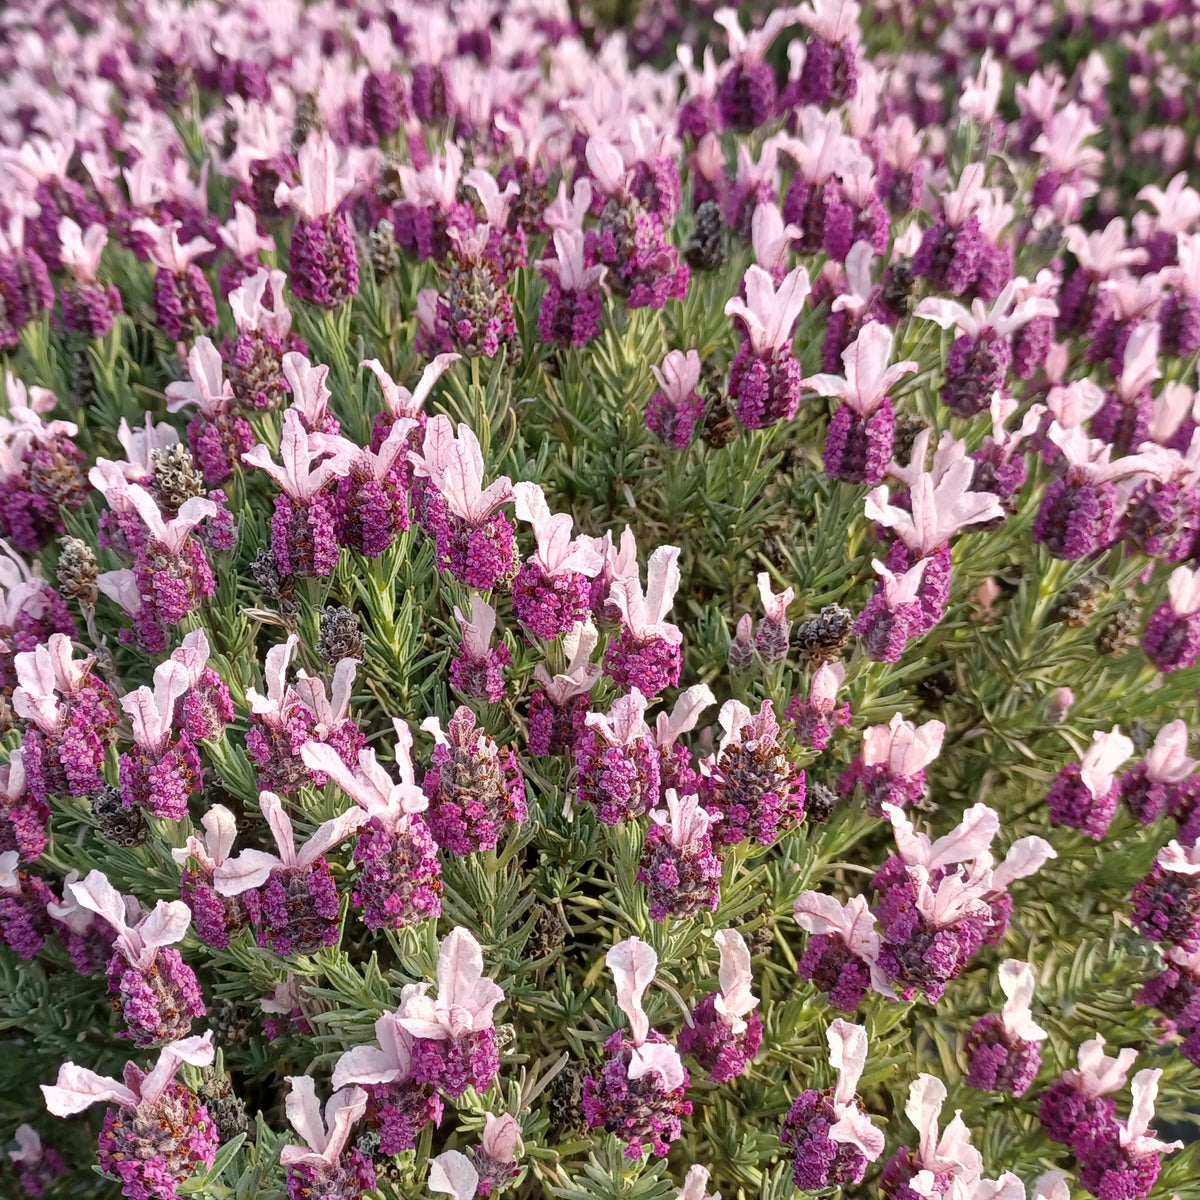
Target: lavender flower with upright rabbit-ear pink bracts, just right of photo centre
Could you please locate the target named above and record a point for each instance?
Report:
(646, 653)
